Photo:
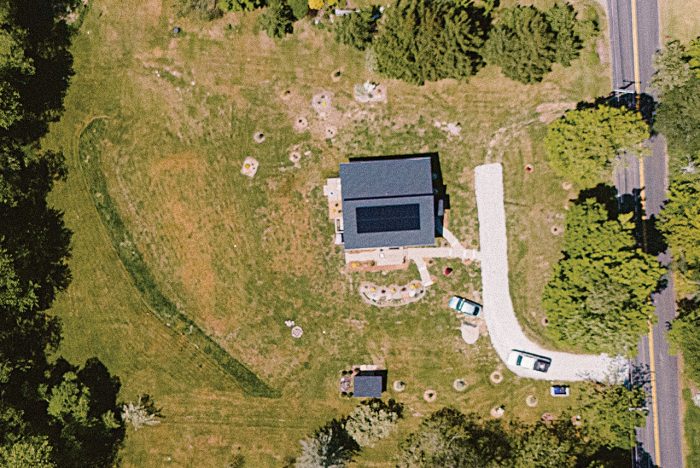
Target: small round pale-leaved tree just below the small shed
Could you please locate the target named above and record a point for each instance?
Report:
(372, 421)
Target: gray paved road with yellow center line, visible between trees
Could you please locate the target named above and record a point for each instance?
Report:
(628, 183)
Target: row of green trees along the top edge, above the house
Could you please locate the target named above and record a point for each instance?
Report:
(429, 40)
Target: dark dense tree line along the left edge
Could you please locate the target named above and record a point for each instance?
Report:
(52, 412)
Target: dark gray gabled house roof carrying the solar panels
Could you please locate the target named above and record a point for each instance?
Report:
(388, 202)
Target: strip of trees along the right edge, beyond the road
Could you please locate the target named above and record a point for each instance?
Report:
(677, 82)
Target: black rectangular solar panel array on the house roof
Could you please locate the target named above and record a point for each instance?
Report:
(388, 218)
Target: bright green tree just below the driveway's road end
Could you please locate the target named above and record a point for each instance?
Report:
(610, 413)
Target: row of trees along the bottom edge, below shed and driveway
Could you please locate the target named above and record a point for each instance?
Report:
(598, 431)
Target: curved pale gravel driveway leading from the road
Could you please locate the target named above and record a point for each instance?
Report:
(504, 330)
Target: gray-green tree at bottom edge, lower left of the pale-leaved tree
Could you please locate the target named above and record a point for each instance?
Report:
(330, 447)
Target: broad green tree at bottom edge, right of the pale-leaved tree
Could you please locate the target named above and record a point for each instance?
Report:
(448, 438)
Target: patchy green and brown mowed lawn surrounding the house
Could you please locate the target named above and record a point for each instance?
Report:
(240, 256)
